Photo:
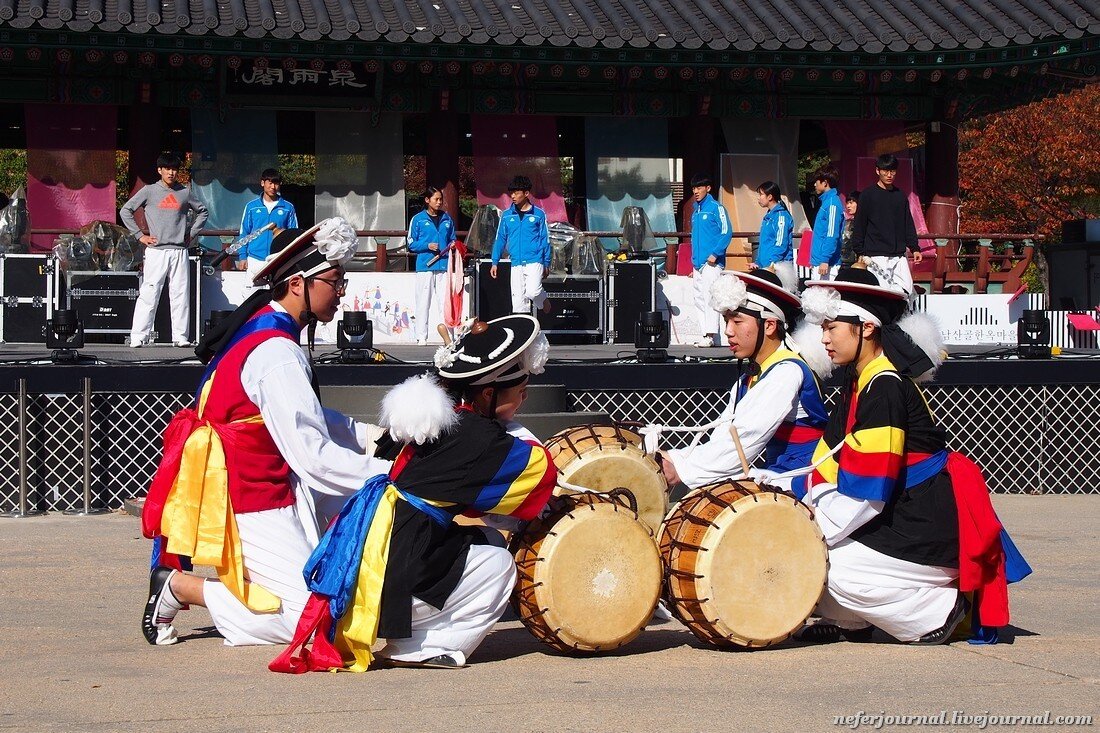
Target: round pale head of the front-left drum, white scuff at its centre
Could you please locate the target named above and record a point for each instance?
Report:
(599, 577)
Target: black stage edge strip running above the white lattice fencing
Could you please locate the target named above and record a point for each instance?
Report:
(117, 368)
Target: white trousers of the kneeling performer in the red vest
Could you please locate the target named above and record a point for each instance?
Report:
(276, 551)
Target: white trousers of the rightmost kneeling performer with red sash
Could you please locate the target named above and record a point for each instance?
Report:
(904, 599)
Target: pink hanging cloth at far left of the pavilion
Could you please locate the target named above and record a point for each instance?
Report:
(70, 168)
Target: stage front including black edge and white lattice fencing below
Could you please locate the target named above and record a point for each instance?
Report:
(1032, 425)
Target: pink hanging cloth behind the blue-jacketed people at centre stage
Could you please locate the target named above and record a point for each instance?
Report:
(519, 146)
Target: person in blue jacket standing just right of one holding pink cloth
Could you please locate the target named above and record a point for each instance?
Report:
(524, 233)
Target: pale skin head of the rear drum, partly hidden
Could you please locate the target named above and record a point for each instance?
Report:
(619, 466)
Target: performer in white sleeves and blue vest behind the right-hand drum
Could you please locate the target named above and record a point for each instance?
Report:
(777, 404)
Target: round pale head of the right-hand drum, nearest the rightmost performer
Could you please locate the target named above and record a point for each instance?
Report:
(765, 571)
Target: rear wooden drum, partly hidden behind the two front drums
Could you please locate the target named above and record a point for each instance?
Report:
(608, 457)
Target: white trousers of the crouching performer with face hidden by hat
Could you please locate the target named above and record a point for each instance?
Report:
(469, 615)
